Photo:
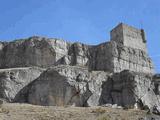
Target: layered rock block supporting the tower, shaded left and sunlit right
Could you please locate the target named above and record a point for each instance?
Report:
(113, 57)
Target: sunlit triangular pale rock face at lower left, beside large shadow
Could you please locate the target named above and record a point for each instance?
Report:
(13, 80)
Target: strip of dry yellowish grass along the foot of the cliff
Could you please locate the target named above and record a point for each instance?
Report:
(32, 112)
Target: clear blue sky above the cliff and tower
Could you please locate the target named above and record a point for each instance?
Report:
(86, 21)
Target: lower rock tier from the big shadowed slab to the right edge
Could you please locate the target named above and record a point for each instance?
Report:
(72, 85)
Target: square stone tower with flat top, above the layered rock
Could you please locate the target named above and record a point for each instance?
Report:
(129, 36)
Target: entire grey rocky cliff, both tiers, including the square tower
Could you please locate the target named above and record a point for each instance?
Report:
(46, 71)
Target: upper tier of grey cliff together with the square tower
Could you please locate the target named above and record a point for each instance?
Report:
(125, 51)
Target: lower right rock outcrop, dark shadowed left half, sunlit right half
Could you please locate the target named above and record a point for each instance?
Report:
(127, 88)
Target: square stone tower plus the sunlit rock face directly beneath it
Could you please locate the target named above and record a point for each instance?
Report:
(130, 50)
